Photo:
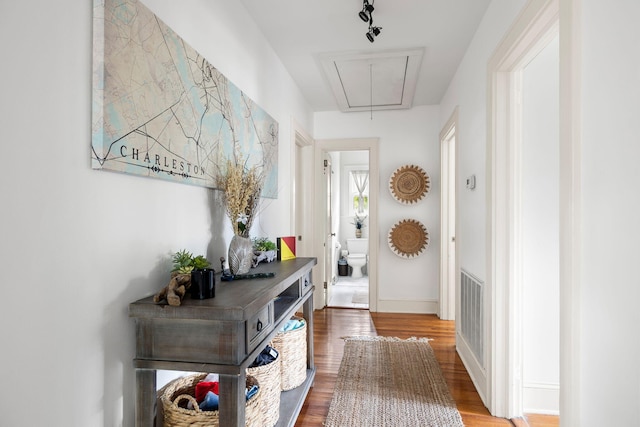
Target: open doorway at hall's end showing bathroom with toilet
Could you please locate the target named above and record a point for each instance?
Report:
(353, 161)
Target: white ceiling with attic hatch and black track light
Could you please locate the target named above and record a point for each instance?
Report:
(323, 45)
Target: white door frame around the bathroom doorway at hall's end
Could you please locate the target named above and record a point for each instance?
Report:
(349, 144)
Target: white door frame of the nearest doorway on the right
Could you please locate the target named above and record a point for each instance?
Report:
(530, 30)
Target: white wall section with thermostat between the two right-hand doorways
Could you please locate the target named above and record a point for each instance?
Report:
(468, 91)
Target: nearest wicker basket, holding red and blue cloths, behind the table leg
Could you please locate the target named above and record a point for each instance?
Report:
(175, 395)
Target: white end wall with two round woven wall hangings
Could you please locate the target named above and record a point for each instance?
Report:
(406, 137)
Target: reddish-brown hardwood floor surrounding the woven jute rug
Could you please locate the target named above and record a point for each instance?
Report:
(330, 325)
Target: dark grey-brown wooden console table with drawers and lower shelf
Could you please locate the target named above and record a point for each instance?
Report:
(223, 335)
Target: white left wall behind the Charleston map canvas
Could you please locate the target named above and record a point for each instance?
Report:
(78, 245)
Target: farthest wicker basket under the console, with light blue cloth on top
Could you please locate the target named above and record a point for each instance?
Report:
(292, 346)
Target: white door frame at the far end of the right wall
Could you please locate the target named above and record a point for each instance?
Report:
(449, 283)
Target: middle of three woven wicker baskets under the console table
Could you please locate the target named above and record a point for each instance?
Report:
(268, 377)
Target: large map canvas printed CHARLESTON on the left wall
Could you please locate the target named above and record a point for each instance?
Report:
(162, 110)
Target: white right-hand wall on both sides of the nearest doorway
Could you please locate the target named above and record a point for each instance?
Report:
(609, 344)
